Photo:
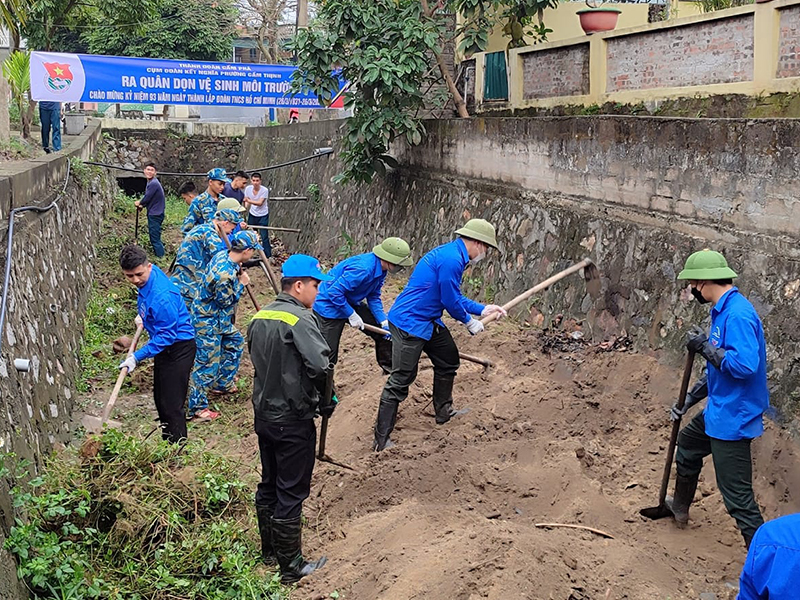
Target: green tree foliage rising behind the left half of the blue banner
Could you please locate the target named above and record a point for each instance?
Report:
(182, 29)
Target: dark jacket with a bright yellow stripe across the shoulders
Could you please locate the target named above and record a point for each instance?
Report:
(291, 361)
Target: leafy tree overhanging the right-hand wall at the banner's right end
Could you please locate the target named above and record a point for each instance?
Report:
(388, 50)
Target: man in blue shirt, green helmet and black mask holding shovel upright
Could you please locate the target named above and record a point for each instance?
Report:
(736, 385)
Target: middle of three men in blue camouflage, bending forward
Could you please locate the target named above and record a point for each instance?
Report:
(199, 246)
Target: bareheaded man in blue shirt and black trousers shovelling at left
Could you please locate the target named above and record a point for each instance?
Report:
(163, 313)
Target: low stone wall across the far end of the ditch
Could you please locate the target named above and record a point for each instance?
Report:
(170, 151)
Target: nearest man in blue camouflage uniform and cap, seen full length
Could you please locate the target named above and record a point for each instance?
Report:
(219, 344)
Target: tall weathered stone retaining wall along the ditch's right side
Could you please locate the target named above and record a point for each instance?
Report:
(560, 189)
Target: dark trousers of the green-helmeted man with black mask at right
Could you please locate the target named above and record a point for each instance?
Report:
(733, 466)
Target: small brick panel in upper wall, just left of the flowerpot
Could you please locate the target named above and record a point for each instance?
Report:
(557, 72)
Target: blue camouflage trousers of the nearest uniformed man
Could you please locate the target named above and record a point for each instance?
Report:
(219, 350)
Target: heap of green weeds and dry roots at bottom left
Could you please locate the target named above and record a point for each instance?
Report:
(139, 519)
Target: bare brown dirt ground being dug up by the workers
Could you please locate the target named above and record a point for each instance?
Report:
(574, 434)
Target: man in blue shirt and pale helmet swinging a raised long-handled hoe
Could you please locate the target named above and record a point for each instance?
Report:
(415, 322)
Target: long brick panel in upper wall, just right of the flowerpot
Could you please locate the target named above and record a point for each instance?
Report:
(719, 51)
